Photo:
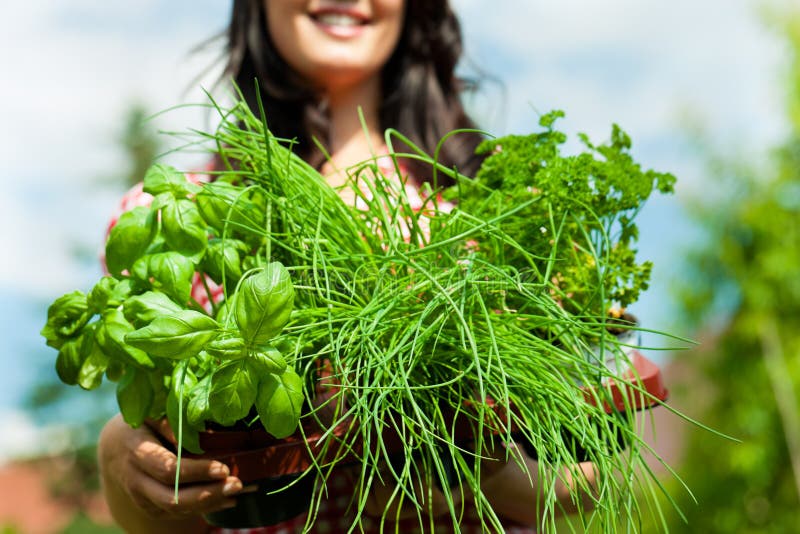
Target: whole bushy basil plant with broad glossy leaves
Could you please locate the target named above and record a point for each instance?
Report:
(141, 327)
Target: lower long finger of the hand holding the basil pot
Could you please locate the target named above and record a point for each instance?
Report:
(191, 500)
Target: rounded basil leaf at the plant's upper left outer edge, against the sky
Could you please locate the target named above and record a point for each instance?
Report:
(129, 239)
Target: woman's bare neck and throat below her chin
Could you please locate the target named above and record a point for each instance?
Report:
(351, 140)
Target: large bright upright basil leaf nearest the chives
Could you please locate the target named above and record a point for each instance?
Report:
(263, 304)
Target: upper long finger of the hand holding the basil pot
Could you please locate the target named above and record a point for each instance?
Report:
(161, 464)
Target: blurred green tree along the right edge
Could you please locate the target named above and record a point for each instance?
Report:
(750, 267)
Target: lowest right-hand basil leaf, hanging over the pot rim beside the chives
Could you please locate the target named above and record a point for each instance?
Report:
(279, 401)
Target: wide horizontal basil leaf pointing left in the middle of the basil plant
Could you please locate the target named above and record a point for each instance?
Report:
(178, 336)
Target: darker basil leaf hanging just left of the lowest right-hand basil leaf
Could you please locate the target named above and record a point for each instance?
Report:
(233, 391)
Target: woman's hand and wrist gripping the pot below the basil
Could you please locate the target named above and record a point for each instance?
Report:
(138, 476)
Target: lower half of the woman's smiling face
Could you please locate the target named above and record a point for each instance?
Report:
(334, 44)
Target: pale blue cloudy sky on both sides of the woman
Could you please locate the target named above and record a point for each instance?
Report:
(71, 69)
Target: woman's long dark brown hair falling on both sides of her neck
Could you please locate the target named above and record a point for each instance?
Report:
(421, 92)
